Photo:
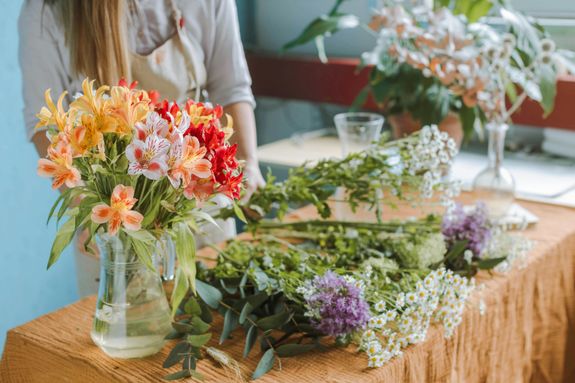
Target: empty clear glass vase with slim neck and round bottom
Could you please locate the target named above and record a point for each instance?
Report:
(495, 185)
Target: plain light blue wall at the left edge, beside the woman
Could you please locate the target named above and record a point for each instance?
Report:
(27, 290)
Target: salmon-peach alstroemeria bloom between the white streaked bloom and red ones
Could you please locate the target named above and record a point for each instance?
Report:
(187, 159)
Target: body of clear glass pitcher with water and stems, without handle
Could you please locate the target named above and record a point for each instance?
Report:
(132, 312)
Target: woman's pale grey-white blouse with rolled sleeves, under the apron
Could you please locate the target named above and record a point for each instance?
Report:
(45, 61)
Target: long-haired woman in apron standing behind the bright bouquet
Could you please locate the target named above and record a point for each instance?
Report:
(182, 49)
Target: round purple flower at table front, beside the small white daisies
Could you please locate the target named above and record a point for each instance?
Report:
(336, 305)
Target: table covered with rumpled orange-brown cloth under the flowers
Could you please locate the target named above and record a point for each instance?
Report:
(526, 334)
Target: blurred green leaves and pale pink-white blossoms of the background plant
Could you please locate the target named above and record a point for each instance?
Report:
(432, 62)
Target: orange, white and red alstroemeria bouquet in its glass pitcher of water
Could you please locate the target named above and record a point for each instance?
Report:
(137, 173)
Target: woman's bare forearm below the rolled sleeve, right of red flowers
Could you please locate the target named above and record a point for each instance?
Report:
(245, 137)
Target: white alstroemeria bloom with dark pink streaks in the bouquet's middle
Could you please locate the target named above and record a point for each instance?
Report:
(148, 157)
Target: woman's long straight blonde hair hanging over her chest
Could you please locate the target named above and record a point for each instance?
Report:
(95, 33)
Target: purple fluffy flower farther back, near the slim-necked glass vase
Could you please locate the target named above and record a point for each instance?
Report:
(472, 226)
